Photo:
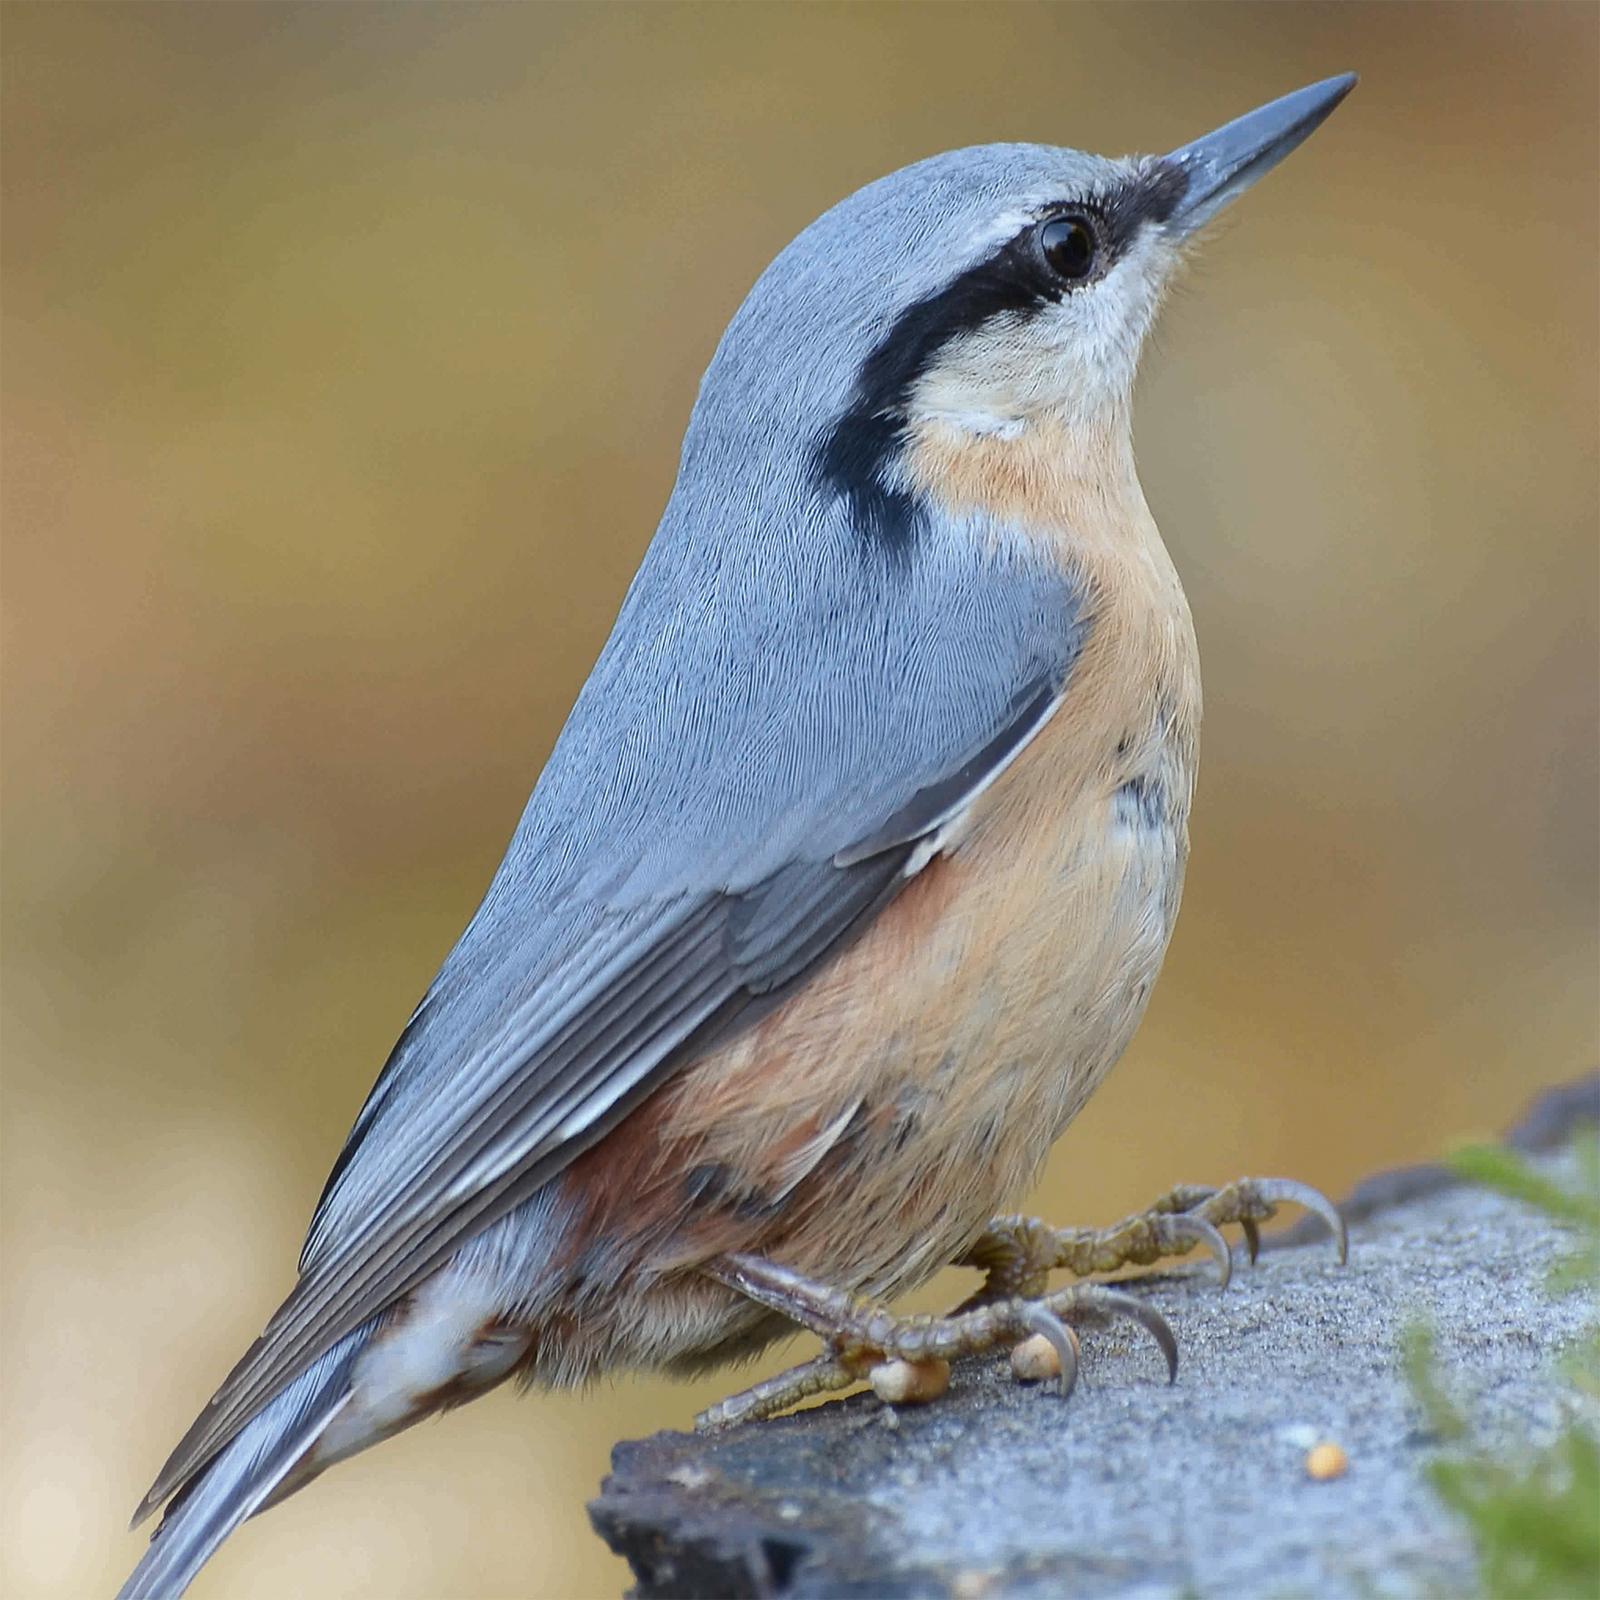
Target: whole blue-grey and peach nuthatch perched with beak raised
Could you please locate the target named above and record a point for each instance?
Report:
(844, 886)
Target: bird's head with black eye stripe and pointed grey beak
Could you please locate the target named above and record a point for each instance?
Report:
(991, 295)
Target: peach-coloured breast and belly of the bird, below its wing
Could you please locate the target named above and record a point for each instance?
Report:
(868, 1129)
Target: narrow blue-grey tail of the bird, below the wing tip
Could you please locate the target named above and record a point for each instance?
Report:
(246, 1476)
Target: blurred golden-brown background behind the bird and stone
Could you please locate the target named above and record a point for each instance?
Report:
(346, 358)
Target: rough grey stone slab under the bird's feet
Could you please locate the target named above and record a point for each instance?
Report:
(1137, 1490)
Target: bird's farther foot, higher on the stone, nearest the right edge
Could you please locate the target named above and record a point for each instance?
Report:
(1018, 1254)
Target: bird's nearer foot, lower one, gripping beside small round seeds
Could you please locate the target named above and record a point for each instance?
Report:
(908, 1358)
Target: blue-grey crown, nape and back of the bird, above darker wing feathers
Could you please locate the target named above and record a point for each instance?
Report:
(777, 686)
